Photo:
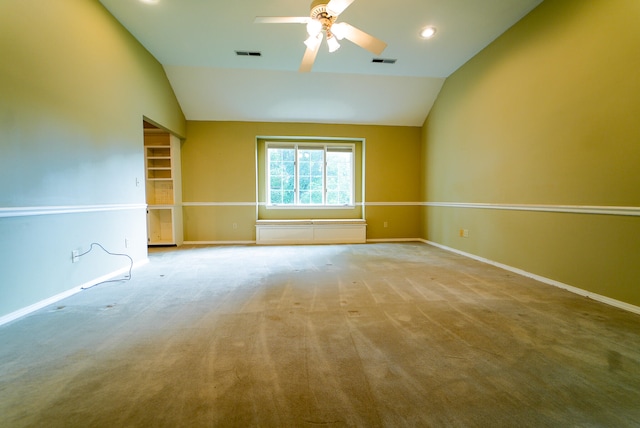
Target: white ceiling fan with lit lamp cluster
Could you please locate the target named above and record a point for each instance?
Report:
(322, 22)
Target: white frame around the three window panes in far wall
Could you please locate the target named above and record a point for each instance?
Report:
(297, 205)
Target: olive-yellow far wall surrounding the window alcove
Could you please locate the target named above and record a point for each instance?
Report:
(219, 177)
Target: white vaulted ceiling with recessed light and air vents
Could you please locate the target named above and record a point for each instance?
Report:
(196, 40)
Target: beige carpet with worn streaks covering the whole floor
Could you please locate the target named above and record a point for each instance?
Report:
(358, 335)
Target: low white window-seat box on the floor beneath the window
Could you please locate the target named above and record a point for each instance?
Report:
(287, 232)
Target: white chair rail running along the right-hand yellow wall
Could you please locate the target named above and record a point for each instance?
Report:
(576, 209)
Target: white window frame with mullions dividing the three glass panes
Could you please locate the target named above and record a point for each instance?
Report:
(302, 145)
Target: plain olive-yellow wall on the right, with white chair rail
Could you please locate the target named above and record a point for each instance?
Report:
(546, 115)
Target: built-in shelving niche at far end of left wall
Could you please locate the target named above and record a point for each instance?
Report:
(164, 205)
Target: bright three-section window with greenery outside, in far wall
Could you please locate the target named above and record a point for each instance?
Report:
(310, 174)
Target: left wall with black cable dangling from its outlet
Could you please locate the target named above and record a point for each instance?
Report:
(75, 86)
